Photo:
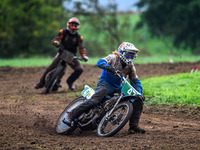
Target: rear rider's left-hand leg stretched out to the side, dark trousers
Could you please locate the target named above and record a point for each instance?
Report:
(52, 66)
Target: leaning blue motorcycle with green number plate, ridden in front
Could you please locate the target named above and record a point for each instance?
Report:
(108, 118)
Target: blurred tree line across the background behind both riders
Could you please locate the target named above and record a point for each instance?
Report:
(27, 27)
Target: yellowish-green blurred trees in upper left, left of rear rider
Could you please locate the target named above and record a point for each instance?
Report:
(27, 27)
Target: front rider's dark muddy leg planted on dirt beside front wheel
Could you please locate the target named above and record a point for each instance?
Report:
(134, 120)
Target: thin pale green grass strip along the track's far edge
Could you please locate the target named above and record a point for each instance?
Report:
(30, 62)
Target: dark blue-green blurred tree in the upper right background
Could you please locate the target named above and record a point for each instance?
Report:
(177, 19)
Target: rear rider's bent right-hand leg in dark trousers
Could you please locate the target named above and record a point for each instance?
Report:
(78, 70)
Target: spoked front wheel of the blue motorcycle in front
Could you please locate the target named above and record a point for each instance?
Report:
(110, 125)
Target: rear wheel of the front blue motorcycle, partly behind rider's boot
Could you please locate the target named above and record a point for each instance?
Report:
(63, 128)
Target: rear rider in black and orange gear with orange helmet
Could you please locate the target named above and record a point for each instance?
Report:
(70, 40)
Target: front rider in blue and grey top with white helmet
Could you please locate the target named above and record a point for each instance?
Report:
(110, 84)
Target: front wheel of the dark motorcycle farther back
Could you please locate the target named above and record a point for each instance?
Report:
(53, 80)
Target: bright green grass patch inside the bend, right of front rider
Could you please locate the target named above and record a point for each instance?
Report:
(181, 89)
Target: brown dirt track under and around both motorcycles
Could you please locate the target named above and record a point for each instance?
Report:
(28, 118)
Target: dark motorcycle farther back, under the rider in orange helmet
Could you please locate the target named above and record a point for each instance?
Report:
(52, 79)
